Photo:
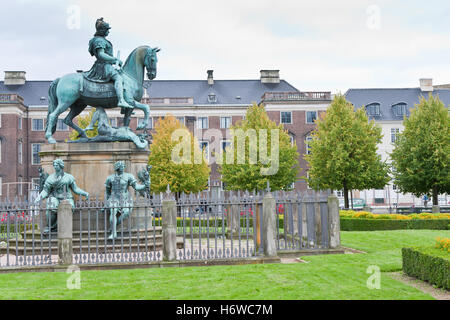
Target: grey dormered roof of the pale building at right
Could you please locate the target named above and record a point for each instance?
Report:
(387, 97)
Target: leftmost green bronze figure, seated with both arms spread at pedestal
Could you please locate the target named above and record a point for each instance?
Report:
(58, 186)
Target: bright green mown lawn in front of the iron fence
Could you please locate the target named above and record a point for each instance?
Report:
(324, 277)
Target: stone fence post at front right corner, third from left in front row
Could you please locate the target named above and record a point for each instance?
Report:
(269, 226)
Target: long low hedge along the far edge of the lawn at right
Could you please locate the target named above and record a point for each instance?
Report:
(351, 224)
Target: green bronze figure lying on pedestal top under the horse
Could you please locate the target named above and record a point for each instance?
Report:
(107, 133)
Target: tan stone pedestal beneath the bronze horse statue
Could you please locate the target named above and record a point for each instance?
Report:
(91, 164)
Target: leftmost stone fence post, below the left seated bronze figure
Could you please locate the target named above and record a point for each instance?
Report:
(65, 230)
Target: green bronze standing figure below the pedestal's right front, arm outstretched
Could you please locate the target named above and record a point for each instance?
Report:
(117, 196)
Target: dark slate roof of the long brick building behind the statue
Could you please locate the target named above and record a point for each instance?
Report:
(226, 91)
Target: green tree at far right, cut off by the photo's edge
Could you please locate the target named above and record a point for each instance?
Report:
(421, 154)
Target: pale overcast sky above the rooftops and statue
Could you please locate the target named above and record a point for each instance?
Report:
(317, 45)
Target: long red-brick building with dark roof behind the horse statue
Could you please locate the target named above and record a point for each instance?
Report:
(200, 104)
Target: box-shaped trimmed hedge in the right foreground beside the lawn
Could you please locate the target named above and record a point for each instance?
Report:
(427, 264)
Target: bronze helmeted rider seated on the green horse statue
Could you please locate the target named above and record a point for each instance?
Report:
(103, 69)
